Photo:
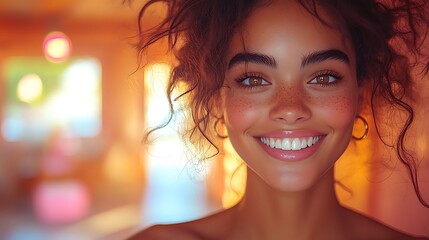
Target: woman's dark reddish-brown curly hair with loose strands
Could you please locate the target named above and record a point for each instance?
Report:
(387, 37)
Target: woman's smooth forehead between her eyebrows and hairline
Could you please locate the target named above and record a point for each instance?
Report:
(287, 24)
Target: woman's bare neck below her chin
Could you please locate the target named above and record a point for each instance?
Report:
(269, 213)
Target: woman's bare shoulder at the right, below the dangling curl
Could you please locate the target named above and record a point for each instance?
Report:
(368, 228)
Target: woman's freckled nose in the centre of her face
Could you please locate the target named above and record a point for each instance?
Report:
(290, 106)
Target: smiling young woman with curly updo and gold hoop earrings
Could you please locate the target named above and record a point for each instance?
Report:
(287, 79)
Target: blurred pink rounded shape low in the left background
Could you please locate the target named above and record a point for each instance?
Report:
(61, 202)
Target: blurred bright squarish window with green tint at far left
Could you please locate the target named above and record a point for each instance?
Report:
(68, 102)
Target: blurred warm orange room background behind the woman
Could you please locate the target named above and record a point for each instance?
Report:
(73, 108)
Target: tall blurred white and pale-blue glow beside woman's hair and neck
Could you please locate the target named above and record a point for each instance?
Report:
(171, 195)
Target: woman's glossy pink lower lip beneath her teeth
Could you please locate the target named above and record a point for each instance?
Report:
(291, 155)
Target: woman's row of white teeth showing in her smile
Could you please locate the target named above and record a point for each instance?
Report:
(290, 143)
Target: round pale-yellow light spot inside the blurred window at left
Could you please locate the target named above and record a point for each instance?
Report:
(29, 88)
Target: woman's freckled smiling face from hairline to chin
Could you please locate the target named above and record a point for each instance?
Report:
(291, 95)
